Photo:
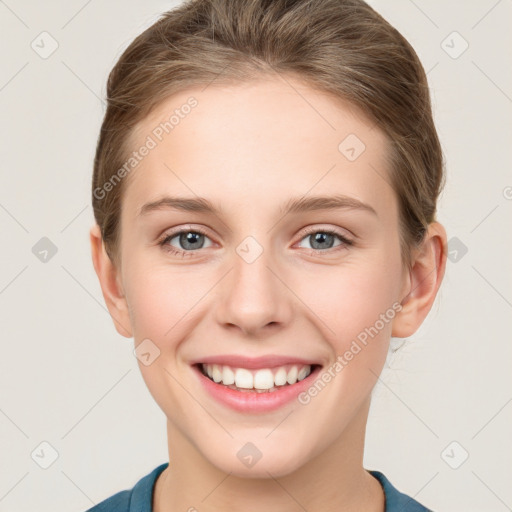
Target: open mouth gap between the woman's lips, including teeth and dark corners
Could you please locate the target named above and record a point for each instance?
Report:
(252, 380)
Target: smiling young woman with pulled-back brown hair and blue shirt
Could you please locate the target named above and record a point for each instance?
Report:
(265, 190)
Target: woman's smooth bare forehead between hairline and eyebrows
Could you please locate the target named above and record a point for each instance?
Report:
(257, 143)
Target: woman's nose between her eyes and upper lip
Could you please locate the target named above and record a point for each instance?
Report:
(254, 297)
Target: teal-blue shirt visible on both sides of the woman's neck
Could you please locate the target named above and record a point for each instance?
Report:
(139, 498)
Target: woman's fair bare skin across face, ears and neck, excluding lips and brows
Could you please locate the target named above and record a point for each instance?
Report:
(250, 148)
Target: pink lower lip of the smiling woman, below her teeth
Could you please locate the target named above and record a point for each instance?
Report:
(252, 401)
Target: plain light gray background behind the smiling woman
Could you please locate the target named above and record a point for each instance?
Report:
(68, 379)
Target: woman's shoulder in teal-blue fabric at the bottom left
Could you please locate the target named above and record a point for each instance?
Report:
(137, 499)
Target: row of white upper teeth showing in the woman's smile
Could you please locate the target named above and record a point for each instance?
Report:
(264, 378)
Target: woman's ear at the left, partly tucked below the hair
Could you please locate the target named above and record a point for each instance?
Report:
(110, 283)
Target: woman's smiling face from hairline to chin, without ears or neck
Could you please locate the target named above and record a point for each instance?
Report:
(273, 272)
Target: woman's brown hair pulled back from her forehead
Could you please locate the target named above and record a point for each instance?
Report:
(342, 47)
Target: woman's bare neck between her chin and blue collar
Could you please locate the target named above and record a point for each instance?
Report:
(332, 480)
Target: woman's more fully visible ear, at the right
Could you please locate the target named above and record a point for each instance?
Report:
(422, 282)
